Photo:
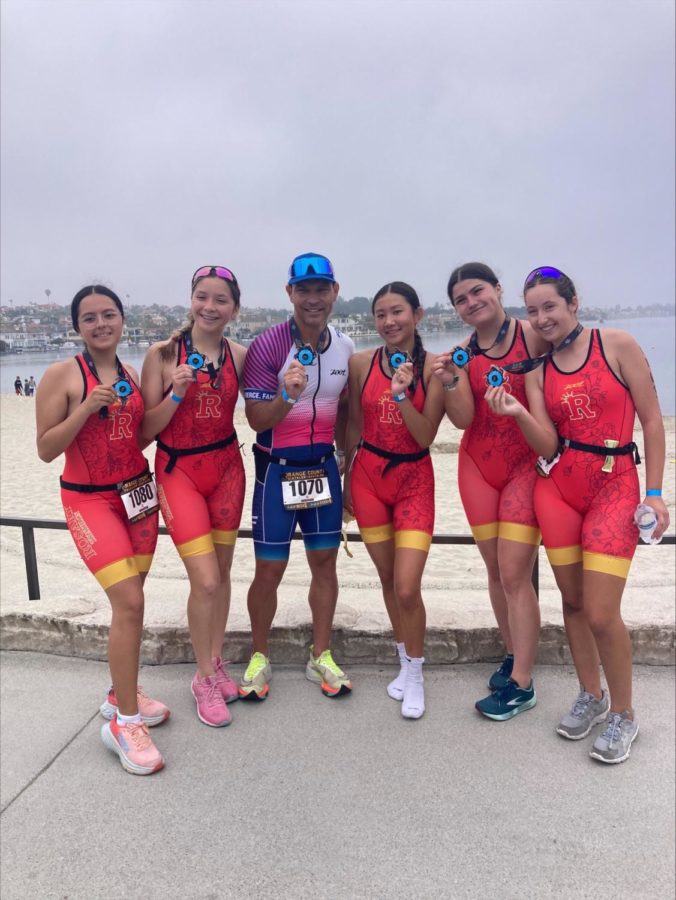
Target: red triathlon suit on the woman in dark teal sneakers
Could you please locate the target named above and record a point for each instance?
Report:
(496, 467)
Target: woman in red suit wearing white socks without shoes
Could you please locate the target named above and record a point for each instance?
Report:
(395, 410)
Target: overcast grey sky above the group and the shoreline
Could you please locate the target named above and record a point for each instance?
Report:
(143, 138)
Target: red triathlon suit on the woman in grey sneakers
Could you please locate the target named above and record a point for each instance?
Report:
(586, 513)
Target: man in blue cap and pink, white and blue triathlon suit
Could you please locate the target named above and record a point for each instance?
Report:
(295, 377)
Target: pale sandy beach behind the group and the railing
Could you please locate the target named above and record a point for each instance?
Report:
(454, 582)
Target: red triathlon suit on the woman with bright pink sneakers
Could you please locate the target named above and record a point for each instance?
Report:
(200, 476)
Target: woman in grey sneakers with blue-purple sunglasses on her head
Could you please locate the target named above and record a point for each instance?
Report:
(582, 403)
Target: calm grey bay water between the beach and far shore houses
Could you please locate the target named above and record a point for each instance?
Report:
(657, 337)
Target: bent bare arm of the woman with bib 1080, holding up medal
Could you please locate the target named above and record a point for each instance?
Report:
(59, 415)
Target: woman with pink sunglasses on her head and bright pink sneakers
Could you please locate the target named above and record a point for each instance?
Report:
(190, 386)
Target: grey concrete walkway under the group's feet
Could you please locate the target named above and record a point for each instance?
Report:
(305, 797)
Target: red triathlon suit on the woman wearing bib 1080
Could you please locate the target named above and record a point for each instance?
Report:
(104, 453)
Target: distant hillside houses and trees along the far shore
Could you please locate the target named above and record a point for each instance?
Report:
(47, 327)
